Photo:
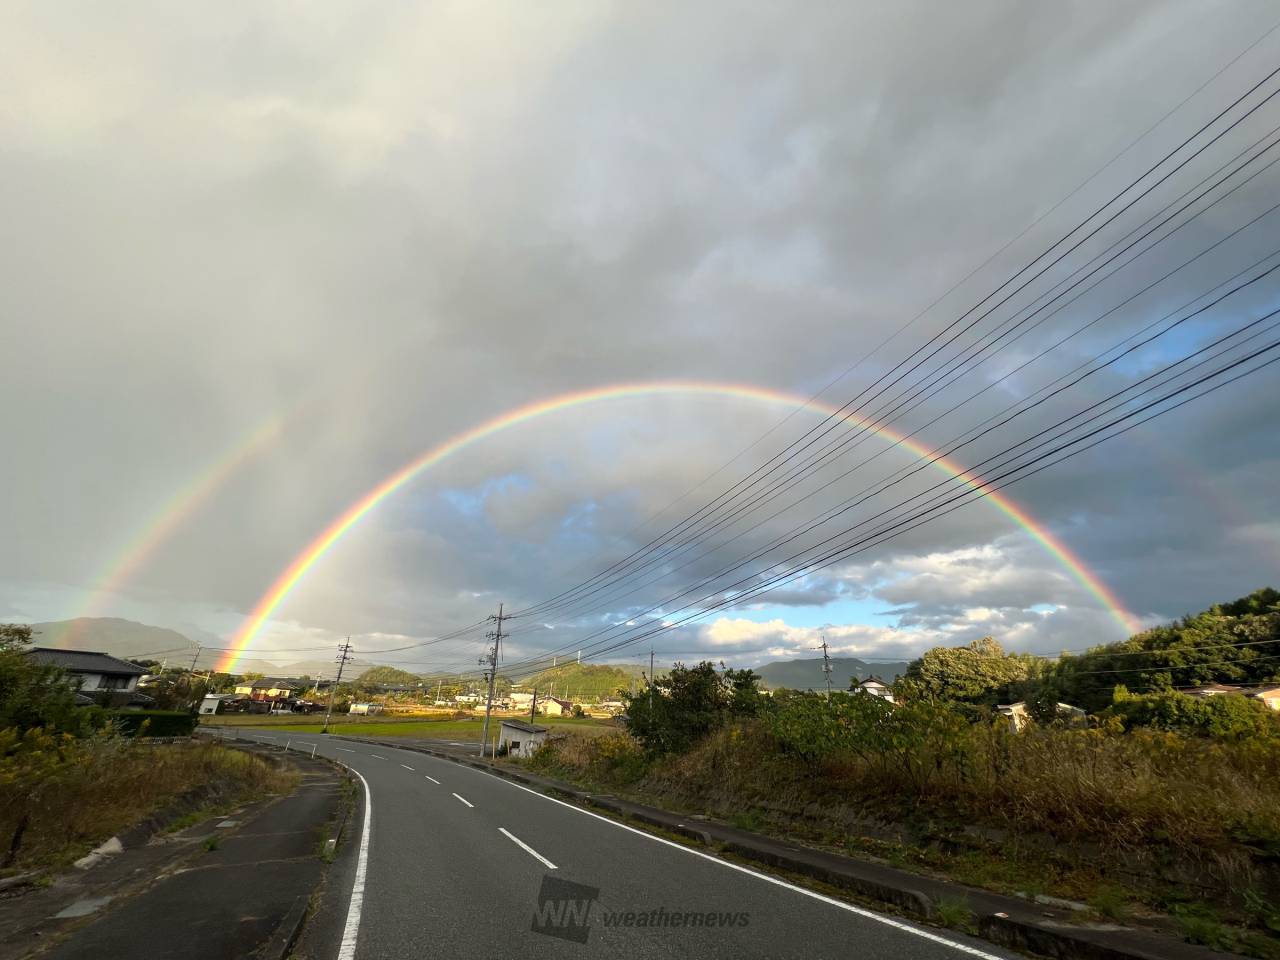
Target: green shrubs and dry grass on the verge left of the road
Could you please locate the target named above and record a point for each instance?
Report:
(74, 776)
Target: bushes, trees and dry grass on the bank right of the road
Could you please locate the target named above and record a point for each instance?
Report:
(1159, 807)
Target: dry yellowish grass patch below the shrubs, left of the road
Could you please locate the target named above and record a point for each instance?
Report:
(61, 797)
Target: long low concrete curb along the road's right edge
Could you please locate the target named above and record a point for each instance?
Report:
(1005, 921)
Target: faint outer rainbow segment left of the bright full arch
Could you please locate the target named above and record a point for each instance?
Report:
(162, 525)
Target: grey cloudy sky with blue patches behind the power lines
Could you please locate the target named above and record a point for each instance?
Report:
(260, 257)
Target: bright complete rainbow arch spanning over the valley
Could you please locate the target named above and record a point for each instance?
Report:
(326, 541)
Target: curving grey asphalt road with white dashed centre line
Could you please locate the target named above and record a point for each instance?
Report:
(459, 862)
